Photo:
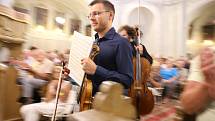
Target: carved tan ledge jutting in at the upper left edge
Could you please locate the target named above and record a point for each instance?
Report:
(12, 25)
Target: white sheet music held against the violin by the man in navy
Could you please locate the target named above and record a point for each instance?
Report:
(80, 48)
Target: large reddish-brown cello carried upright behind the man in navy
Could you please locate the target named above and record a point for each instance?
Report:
(142, 97)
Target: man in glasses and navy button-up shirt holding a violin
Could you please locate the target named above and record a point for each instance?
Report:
(114, 61)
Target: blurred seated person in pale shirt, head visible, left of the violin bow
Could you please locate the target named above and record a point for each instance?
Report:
(34, 72)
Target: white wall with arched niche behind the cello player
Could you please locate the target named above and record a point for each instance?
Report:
(165, 22)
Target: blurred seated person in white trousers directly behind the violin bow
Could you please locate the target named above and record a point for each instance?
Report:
(32, 112)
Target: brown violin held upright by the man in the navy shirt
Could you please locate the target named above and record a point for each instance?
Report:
(85, 96)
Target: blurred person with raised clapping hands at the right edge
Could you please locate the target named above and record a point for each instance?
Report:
(198, 96)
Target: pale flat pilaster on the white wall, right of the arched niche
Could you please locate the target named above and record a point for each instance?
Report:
(174, 30)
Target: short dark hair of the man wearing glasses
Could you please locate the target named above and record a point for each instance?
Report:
(107, 4)
